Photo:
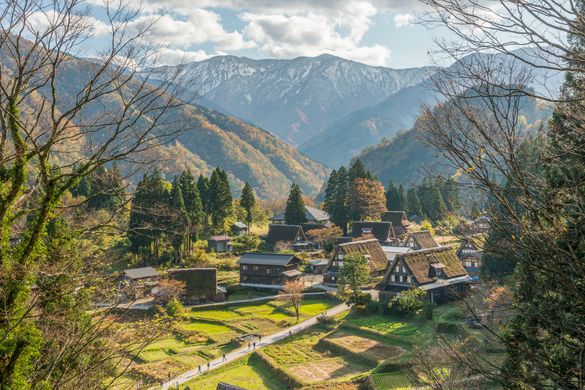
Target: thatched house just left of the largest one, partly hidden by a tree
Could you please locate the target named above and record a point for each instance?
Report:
(370, 248)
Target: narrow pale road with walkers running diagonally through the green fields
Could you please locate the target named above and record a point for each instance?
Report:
(243, 351)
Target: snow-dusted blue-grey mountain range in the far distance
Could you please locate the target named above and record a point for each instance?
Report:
(297, 98)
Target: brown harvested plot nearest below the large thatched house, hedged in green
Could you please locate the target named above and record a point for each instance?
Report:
(373, 349)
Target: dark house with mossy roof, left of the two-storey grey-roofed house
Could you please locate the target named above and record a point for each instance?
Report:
(200, 284)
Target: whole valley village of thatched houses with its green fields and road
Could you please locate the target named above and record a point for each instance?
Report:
(288, 315)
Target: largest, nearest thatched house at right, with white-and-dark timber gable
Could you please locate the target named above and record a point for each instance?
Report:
(437, 271)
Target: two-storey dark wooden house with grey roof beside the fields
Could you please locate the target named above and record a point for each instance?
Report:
(268, 270)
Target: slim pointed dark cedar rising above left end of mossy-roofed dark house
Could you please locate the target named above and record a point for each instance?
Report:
(178, 228)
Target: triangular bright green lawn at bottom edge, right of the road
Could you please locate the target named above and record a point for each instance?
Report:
(249, 373)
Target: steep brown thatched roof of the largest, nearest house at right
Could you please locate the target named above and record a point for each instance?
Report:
(422, 264)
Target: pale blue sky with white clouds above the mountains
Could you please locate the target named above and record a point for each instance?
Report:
(375, 32)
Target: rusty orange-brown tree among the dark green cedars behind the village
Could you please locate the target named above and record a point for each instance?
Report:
(366, 199)
